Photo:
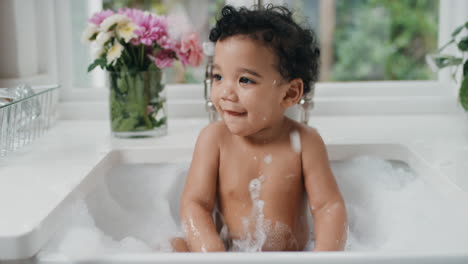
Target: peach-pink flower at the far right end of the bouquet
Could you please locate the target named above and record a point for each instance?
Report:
(190, 51)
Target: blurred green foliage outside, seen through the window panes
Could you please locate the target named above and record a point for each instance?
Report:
(373, 39)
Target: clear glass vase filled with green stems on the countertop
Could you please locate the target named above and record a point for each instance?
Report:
(138, 103)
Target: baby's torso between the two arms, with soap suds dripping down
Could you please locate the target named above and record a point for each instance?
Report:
(282, 189)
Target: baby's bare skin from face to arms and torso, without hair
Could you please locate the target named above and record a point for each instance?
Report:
(251, 96)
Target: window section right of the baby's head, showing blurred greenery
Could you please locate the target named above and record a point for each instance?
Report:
(370, 40)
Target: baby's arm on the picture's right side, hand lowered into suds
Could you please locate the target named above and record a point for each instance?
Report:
(325, 200)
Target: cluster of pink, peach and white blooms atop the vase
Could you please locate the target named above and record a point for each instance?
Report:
(151, 34)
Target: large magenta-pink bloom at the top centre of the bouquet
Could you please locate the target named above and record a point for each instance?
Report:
(152, 28)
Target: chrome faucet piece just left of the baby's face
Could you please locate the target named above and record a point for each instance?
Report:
(208, 50)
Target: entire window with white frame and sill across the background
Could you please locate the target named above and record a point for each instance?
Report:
(368, 49)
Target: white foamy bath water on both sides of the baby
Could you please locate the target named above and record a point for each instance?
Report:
(135, 208)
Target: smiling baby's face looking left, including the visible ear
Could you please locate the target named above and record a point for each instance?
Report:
(247, 88)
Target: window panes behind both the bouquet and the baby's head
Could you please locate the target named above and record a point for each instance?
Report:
(361, 40)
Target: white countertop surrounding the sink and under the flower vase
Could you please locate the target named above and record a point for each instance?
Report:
(37, 177)
